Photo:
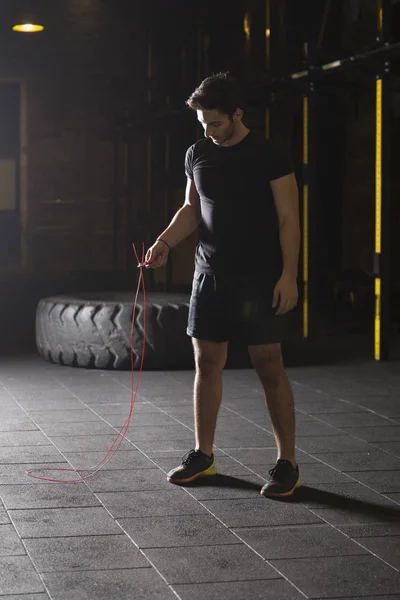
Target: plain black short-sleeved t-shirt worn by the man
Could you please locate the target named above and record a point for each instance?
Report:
(238, 233)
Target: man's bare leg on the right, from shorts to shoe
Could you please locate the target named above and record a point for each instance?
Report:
(268, 363)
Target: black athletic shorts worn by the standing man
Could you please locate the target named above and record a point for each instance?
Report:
(225, 308)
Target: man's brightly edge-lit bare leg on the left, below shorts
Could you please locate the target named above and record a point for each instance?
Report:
(210, 360)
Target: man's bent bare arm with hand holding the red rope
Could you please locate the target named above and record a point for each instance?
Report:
(185, 221)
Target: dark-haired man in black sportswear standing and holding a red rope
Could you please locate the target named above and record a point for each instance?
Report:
(242, 196)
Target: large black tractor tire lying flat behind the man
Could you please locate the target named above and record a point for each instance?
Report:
(93, 331)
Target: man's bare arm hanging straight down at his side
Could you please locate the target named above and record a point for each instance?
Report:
(286, 199)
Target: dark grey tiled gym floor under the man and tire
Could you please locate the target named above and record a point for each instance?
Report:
(127, 533)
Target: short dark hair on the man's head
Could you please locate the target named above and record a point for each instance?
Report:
(220, 92)
